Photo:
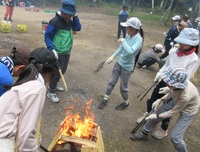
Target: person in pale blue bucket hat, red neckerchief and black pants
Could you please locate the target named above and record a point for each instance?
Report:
(184, 56)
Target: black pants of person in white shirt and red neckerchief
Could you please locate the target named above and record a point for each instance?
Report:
(154, 96)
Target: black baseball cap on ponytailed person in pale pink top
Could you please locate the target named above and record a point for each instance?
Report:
(43, 56)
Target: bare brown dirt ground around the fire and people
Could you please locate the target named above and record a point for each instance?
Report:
(94, 44)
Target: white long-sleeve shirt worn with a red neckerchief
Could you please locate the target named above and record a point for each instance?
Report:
(189, 62)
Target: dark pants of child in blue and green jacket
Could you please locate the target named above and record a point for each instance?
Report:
(63, 61)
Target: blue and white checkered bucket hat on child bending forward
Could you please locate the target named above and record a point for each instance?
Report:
(175, 76)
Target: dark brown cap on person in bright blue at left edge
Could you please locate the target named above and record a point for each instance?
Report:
(20, 55)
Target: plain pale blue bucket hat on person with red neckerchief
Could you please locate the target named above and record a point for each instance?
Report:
(188, 36)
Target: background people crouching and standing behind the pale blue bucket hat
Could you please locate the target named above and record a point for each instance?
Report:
(149, 57)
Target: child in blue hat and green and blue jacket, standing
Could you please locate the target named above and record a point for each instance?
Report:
(59, 39)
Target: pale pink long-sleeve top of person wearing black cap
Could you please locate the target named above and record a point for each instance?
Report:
(23, 104)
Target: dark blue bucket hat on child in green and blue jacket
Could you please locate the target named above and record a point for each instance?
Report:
(68, 7)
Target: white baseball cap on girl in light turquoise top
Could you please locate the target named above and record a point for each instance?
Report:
(133, 22)
